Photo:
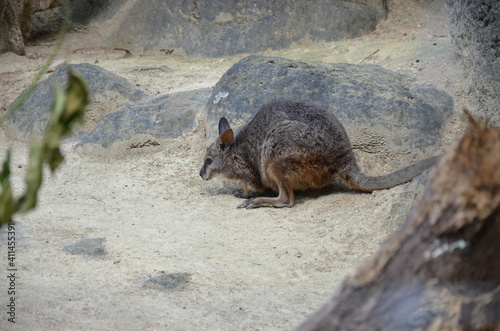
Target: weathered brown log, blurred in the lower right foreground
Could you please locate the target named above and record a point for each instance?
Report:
(441, 270)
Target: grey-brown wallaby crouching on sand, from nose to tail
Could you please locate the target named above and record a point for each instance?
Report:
(292, 145)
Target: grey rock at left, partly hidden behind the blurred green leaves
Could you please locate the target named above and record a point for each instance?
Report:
(105, 87)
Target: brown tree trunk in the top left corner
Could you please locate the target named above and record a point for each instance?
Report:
(15, 21)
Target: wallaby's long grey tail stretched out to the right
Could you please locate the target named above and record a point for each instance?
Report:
(360, 181)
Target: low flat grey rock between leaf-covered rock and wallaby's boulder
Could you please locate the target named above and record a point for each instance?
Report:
(167, 116)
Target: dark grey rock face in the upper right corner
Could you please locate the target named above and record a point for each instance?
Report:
(475, 30)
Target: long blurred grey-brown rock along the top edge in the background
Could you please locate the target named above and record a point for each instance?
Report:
(221, 27)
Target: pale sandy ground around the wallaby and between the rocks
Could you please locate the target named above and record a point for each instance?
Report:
(265, 269)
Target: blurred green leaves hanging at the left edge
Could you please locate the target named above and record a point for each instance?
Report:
(67, 109)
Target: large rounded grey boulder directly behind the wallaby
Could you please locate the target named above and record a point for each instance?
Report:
(384, 113)
